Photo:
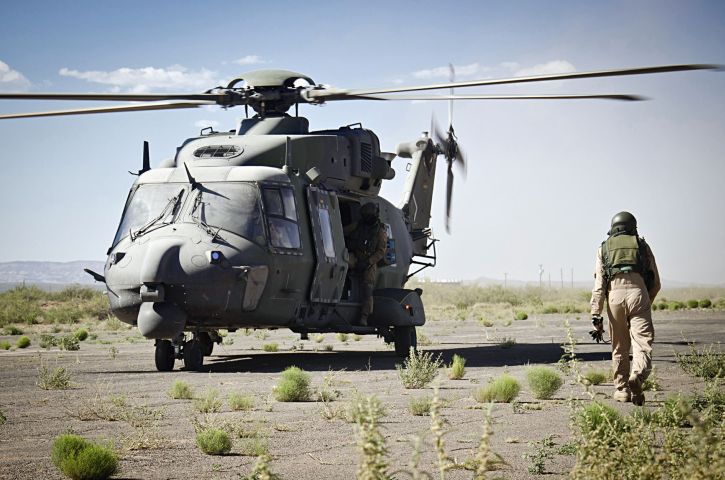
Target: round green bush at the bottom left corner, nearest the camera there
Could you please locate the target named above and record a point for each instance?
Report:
(80, 459)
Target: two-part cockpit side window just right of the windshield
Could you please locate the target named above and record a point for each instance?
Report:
(281, 213)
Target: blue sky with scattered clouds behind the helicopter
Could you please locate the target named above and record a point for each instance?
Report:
(543, 178)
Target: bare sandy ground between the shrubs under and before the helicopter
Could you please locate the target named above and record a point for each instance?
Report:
(303, 443)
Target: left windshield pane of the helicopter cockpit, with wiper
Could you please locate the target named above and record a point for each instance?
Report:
(150, 203)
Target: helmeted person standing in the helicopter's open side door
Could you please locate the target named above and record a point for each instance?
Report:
(367, 243)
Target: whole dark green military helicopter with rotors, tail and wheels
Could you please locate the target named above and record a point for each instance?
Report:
(246, 228)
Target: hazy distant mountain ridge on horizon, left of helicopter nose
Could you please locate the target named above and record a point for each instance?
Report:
(49, 272)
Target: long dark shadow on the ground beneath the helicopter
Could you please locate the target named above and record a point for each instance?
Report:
(476, 356)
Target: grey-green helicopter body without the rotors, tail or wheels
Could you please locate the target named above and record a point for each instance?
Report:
(246, 231)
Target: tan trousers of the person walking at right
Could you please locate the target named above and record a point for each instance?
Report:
(630, 326)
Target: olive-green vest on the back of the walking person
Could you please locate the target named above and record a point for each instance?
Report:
(624, 253)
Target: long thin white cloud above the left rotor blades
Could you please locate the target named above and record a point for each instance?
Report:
(139, 80)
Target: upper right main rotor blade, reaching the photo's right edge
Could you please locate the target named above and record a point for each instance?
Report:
(538, 78)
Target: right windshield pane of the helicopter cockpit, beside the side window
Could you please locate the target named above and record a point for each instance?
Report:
(230, 206)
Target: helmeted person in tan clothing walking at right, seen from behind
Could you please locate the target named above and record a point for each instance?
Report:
(626, 277)
